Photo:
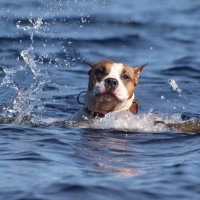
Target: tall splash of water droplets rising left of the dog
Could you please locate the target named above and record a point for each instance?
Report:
(26, 98)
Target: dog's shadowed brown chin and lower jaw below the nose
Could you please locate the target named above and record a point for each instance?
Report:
(107, 101)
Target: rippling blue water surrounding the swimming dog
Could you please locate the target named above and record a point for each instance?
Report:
(42, 45)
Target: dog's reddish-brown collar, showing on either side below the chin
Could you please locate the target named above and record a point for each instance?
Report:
(133, 109)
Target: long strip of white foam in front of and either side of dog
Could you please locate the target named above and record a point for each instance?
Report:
(126, 121)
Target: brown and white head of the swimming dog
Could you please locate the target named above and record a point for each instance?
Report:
(111, 86)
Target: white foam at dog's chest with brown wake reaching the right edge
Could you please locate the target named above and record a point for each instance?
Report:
(149, 122)
